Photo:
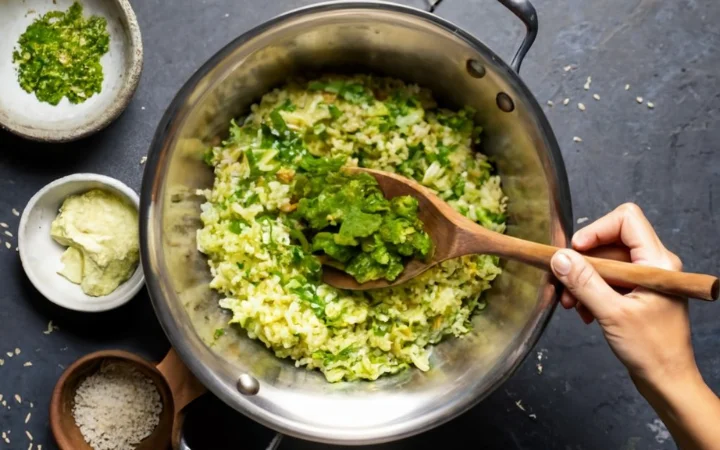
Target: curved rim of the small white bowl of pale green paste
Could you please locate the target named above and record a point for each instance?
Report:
(104, 303)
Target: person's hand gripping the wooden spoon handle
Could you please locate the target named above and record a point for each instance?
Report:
(648, 331)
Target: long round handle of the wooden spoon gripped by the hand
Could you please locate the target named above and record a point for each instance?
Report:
(616, 273)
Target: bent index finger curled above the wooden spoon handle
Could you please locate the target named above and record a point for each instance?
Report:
(626, 224)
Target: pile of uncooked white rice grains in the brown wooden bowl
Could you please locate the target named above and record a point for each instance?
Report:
(117, 407)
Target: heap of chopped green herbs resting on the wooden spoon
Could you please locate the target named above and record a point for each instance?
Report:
(366, 235)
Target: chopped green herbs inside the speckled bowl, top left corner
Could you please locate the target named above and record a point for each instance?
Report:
(59, 56)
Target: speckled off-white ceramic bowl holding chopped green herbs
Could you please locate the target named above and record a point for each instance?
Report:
(23, 114)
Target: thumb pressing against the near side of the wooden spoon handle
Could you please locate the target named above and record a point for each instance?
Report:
(583, 282)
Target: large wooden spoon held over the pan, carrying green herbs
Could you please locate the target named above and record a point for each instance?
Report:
(455, 235)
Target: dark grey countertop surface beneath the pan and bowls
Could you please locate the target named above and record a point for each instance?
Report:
(663, 159)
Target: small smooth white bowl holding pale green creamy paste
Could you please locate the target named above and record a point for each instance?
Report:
(40, 254)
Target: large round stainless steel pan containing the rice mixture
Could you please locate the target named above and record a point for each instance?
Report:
(388, 39)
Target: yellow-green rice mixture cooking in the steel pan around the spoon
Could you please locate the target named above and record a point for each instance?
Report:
(262, 264)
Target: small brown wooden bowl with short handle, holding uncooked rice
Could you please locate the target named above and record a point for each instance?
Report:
(176, 385)
